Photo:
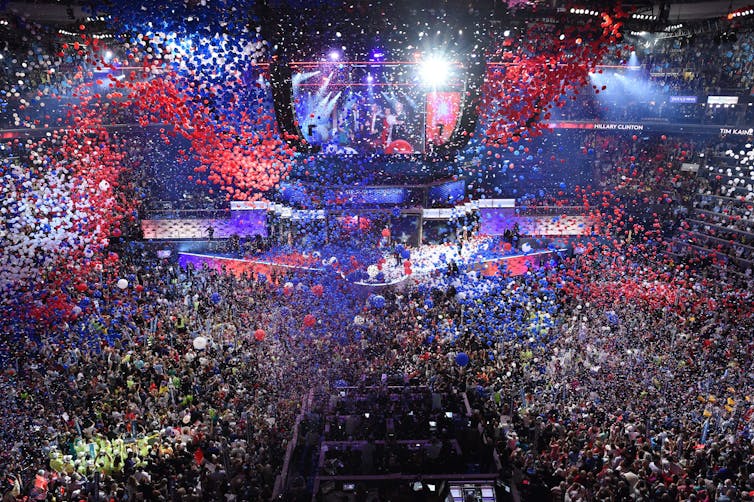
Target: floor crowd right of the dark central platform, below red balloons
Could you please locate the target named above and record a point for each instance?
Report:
(610, 401)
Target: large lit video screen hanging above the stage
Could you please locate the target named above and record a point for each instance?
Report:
(363, 108)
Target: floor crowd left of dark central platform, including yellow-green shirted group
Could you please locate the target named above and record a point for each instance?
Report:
(123, 393)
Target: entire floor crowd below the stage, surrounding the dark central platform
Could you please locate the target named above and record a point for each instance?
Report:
(584, 395)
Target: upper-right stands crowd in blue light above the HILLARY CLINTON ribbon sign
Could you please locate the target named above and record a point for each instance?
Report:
(707, 64)
